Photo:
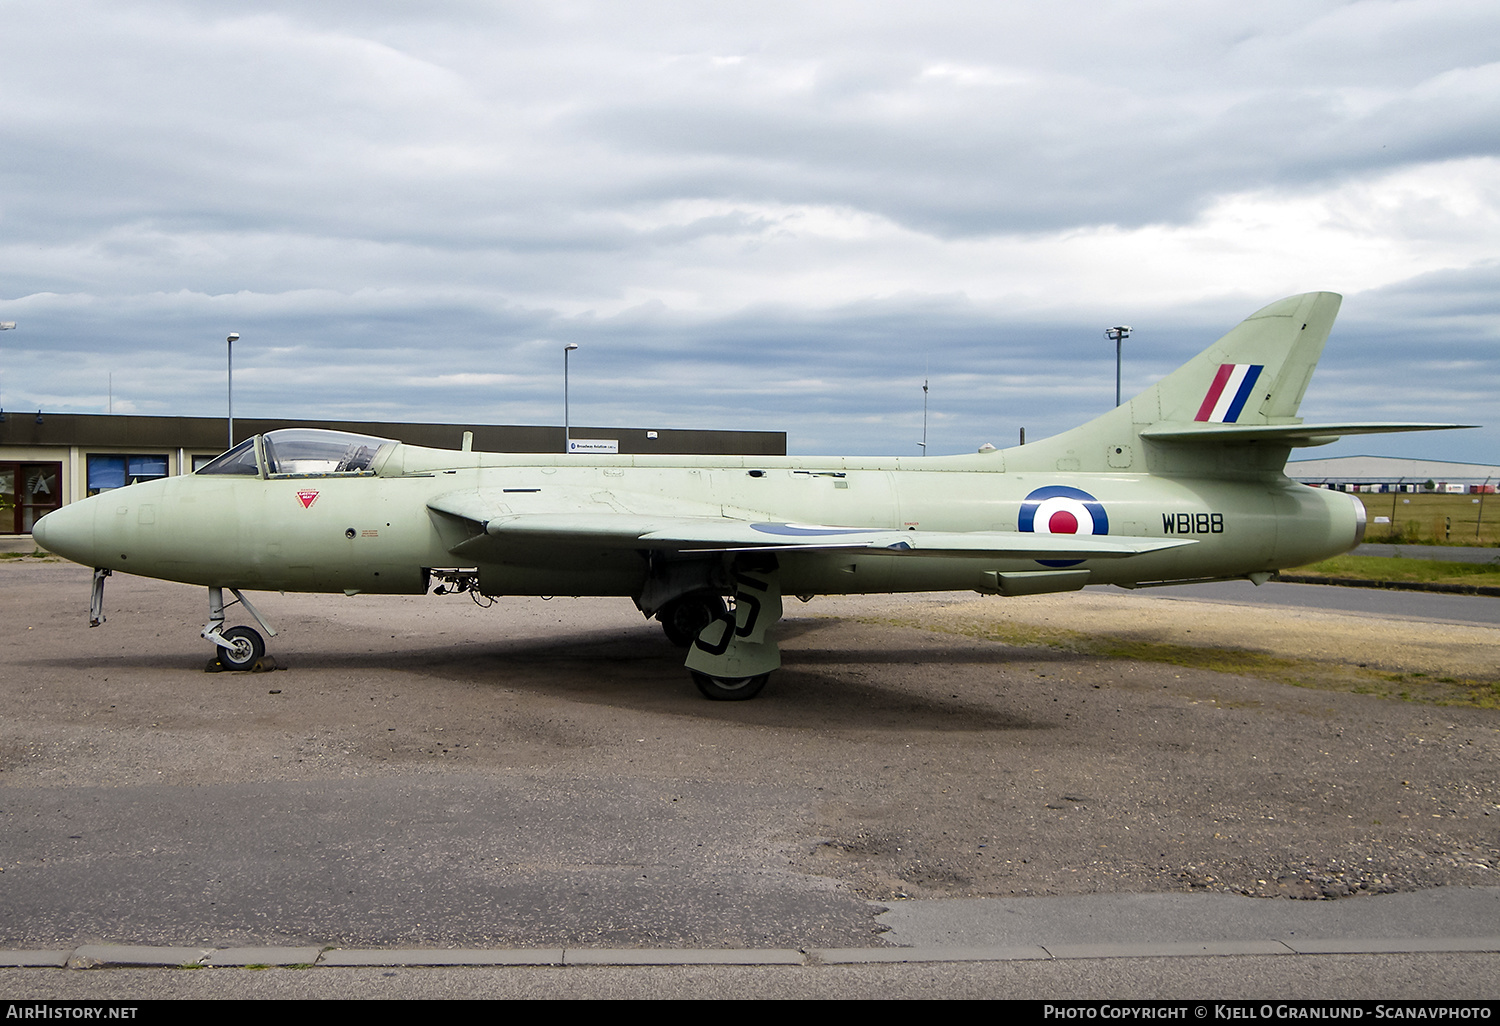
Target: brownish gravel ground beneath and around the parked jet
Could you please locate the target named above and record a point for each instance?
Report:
(913, 754)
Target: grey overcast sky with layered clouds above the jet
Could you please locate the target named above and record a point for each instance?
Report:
(748, 215)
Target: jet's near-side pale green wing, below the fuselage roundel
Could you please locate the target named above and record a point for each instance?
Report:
(701, 533)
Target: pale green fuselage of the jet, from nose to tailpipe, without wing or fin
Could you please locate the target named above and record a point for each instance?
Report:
(374, 533)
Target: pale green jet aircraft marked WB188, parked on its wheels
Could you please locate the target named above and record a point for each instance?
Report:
(1181, 484)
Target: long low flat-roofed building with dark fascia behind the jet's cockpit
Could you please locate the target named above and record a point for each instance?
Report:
(52, 460)
